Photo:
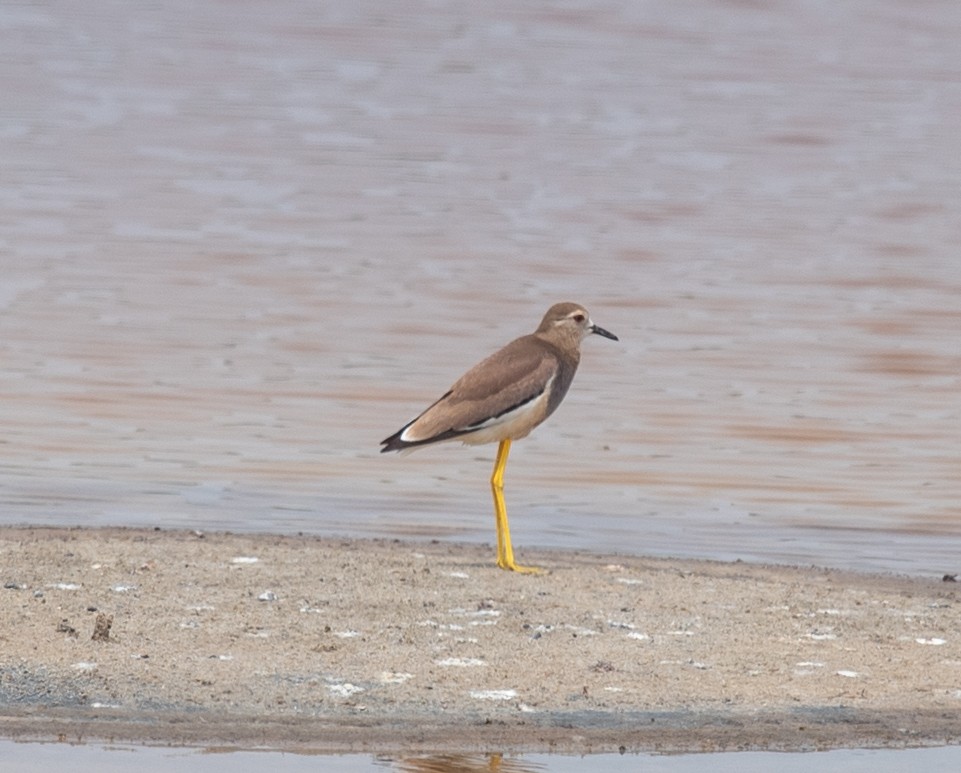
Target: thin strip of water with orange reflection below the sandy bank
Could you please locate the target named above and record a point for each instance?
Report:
(103, 759)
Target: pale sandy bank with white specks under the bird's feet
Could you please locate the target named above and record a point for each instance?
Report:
(357, 645)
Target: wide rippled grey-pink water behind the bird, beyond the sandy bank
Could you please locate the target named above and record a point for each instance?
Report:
(242, 245)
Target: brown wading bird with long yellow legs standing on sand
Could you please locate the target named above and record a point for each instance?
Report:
(503, 398)
